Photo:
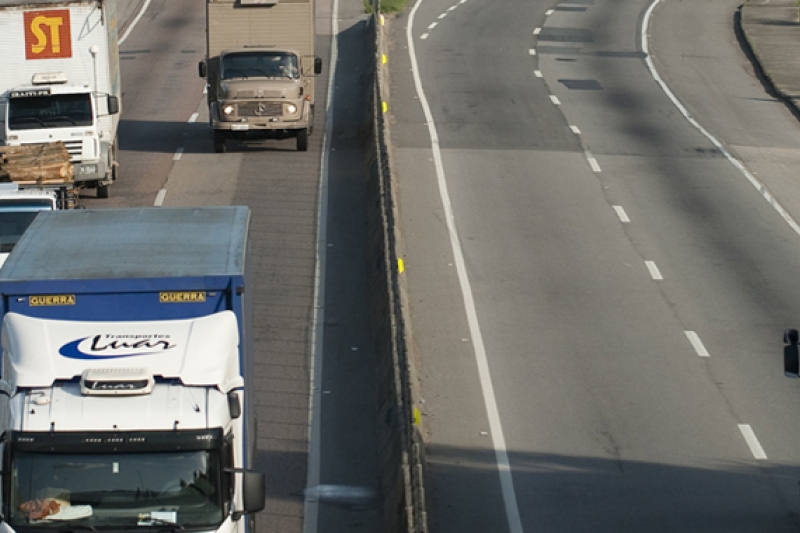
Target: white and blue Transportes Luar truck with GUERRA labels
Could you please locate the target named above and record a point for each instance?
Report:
(127, 373)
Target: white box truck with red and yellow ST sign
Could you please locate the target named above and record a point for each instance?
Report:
(61, 82)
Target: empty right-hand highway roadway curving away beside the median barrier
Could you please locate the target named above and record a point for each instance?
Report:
(598, 275)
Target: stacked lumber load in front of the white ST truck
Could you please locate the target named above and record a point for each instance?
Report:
(36, 164)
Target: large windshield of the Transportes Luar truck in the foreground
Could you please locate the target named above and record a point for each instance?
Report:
(175, 490)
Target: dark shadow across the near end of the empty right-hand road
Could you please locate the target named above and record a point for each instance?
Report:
(561, 493)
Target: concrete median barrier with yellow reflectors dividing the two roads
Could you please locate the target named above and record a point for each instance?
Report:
(399, 440)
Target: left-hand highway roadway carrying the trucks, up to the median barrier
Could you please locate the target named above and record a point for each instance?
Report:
(167, 159)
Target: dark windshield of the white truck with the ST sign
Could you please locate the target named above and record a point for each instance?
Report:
(52, 111)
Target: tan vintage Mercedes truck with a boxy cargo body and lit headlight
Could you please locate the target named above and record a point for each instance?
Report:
(260, 68)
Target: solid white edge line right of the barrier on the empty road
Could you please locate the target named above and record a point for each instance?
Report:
(481, 358)
